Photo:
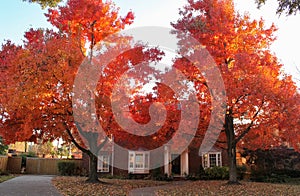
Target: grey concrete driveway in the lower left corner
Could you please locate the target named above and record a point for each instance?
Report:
(28, 185)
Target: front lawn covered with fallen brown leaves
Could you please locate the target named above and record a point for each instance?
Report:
(77, 186)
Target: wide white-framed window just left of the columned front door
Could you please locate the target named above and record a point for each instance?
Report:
(138, 162)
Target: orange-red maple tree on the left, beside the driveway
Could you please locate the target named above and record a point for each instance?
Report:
(43, 71)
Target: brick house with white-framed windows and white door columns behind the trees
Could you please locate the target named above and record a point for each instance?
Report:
(118, 161)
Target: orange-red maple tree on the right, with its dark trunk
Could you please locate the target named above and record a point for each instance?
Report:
(262, 102)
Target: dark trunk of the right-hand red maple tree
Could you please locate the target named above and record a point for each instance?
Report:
(231, 148)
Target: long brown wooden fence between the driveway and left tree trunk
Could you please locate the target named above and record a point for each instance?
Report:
(46, 166)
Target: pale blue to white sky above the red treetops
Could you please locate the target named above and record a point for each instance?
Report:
(17, 16)
